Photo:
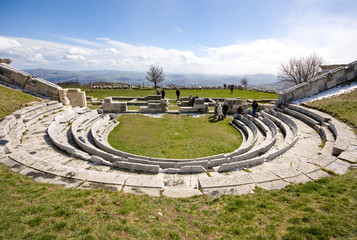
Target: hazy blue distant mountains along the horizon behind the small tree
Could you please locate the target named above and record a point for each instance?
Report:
(138, 78)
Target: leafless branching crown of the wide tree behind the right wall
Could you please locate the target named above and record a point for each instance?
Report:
(300, 70)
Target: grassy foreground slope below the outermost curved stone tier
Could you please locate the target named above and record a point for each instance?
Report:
(322, 209)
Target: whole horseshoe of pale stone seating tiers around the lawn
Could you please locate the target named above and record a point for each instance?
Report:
(37, 152)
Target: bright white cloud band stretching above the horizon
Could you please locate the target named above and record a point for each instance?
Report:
(333, 38)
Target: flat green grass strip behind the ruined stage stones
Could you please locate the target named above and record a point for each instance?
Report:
(171, 94)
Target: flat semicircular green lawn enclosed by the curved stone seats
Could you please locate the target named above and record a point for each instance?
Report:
(174, 136)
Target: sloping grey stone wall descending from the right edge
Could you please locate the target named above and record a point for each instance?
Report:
(337, 76)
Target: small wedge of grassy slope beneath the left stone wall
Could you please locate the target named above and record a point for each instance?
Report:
(12, 100)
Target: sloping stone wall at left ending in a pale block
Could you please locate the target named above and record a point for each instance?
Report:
(38, 86)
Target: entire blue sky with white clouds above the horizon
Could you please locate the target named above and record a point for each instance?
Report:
(184, 36)
